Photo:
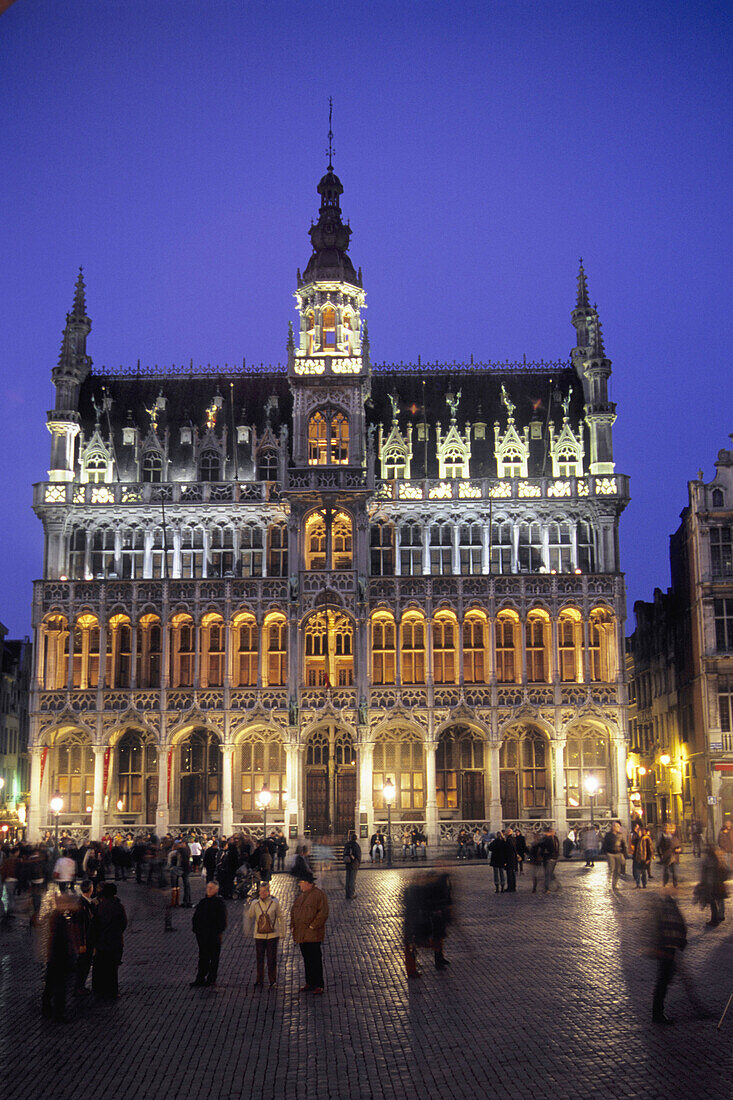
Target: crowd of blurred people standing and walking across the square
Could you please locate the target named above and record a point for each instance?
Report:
(82, 934)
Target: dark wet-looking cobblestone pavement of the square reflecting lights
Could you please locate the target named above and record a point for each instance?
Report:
(546, 996)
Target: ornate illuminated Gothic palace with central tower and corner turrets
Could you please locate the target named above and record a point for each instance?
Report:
(322, 578)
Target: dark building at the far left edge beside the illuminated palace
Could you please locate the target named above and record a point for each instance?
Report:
(15, 686)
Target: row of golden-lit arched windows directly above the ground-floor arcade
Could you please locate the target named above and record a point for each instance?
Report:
(476, 651)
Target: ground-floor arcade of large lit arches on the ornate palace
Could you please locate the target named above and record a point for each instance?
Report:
(329, 784)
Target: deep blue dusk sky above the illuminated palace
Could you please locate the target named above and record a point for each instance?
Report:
(174, 148)
